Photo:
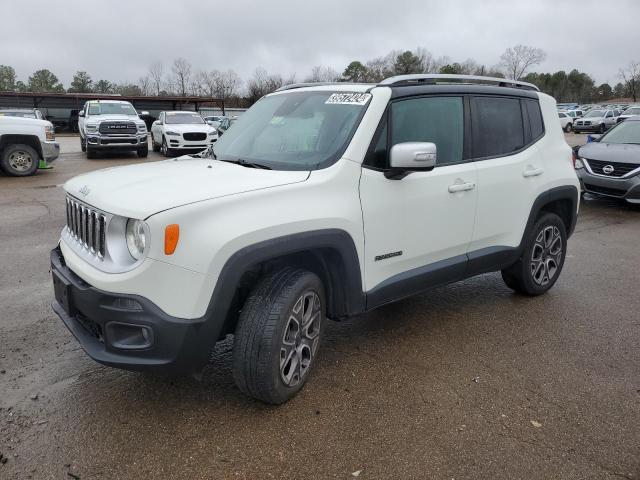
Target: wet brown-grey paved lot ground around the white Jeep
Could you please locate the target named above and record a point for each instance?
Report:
(467, 381)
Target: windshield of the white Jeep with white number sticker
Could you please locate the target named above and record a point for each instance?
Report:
(294, 130)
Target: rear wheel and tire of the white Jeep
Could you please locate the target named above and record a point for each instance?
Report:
(539, 267)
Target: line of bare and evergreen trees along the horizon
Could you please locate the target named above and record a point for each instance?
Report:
(182, 79)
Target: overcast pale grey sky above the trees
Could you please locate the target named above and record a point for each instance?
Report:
(117, 39)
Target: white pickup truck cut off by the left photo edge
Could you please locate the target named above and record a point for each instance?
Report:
(23, 143)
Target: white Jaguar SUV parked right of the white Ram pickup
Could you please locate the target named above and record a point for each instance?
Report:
(181, 131)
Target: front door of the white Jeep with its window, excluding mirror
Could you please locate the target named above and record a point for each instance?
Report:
(417, 229)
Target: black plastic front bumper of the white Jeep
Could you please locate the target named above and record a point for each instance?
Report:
(127, 331)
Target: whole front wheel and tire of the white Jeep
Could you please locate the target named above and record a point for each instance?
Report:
(278, 335)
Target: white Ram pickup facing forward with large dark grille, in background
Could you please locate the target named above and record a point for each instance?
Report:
(111, 125)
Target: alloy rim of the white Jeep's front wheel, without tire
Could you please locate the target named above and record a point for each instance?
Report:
(300, 338)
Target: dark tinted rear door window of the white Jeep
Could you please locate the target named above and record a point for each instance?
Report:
(497, 126)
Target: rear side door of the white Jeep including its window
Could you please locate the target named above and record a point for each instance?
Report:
(510, 169)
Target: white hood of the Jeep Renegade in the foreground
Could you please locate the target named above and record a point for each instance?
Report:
(141, 190)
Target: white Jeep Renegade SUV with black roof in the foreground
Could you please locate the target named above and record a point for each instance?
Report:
(321, 202)
